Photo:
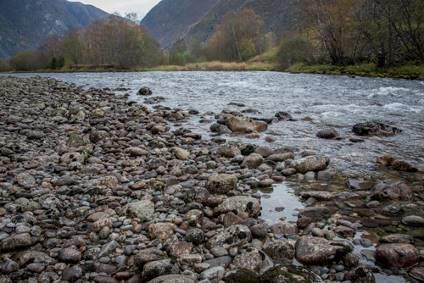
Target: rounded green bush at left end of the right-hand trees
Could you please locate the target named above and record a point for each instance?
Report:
(294, 50)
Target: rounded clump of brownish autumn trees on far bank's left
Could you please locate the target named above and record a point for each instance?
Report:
(114, 43)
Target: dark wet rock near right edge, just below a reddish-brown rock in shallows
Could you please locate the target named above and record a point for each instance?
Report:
(391, 191)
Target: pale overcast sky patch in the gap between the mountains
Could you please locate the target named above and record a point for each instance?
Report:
(141, 7)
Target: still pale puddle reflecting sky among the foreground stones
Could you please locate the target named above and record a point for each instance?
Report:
(280, 203)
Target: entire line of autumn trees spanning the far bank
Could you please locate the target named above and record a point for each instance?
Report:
(337, 32)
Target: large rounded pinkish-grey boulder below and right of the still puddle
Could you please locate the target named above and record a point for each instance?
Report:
(314, 251)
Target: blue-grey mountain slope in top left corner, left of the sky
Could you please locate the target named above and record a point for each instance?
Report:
(26, 24)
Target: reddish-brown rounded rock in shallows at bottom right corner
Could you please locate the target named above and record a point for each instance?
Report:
(396, 255)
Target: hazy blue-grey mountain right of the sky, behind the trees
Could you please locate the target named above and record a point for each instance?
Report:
(171, 20)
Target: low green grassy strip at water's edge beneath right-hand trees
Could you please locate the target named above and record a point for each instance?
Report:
(367, 70)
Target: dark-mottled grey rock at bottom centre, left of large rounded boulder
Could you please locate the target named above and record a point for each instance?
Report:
(235, 235)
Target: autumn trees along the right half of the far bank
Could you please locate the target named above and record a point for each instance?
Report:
(337, 32)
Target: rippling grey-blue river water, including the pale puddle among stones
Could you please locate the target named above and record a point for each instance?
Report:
(315, 101)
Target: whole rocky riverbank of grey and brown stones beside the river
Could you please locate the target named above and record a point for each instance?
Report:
(95, 188)
